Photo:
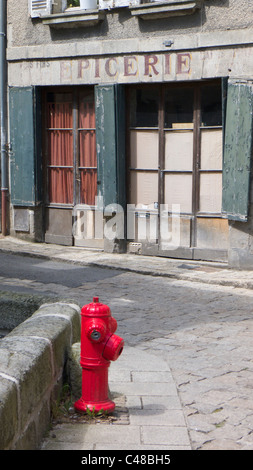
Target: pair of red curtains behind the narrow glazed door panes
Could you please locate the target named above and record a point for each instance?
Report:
(60, 143)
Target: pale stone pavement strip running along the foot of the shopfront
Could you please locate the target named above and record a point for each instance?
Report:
(207, 272)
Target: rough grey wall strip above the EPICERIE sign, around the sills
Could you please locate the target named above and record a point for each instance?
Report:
(214, 15)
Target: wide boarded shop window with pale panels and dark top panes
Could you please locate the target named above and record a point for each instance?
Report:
(175, 148)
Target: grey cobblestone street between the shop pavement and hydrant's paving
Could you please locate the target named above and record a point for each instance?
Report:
(204, 331)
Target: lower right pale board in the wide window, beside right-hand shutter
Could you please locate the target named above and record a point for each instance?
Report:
(210, 192)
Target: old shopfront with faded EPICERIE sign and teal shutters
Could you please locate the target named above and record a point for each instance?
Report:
(137, 144)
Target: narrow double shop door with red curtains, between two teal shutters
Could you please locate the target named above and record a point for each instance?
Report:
(69, 162)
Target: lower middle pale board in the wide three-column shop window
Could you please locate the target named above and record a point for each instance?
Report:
(178, 190)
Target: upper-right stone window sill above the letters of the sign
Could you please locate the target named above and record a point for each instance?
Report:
(155, 10)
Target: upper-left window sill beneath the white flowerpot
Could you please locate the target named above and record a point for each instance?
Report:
(74, 18)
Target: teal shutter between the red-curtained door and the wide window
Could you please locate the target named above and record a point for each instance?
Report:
(110, 137)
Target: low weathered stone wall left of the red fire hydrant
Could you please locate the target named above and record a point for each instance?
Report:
(33, 360)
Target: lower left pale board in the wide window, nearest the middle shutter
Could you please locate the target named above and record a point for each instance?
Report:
(143, 188)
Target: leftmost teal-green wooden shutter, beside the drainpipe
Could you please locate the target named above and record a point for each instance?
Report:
(25, 152)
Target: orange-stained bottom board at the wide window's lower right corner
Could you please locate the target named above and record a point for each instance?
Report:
(212, 233)
